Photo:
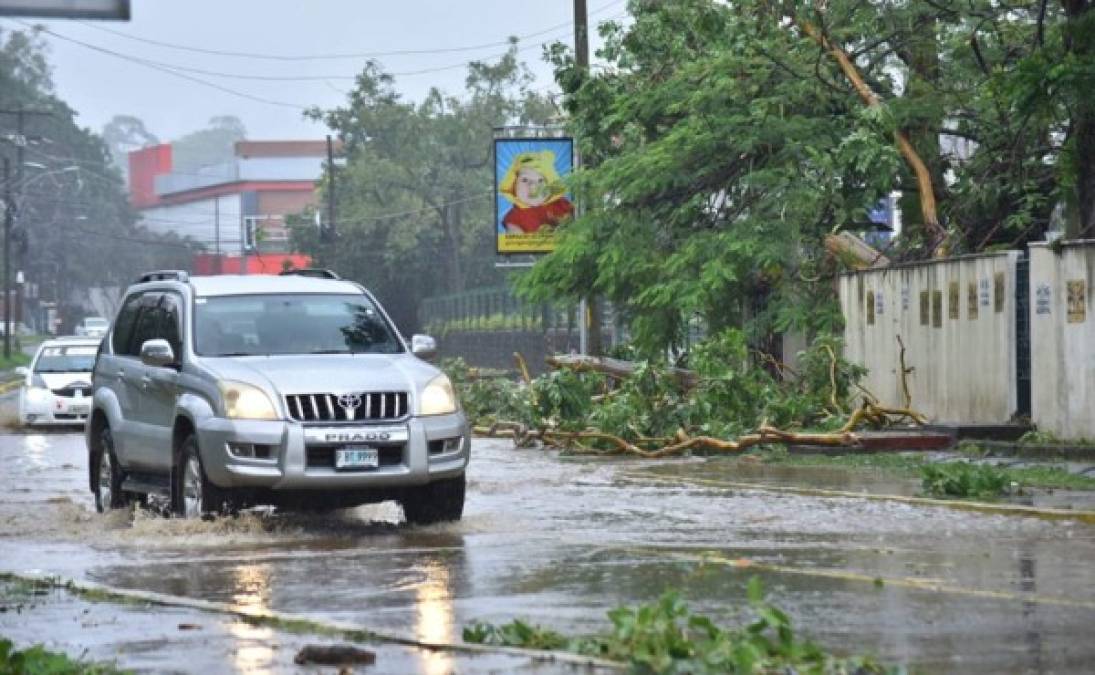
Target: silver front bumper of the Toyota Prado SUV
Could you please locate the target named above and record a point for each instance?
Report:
(297, 453)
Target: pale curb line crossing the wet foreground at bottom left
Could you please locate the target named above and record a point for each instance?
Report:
(301, 624)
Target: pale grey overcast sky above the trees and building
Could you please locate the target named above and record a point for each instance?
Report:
(447, 35)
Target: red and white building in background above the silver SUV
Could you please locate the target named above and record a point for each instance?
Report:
(236, 210)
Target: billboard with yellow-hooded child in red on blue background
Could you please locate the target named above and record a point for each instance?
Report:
(531, 198)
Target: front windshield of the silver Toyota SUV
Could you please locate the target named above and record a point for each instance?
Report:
(291, 324)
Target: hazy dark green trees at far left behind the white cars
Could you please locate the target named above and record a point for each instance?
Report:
(75, 228)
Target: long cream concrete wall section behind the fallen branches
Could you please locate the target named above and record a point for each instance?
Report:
(958, 321)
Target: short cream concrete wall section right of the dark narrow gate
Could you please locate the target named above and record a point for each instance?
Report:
(1063, 339)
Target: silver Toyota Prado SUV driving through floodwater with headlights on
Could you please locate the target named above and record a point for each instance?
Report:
(221, 393)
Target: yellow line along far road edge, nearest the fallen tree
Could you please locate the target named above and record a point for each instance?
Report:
(1008, 510)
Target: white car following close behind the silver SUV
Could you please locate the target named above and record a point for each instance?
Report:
(57, 390)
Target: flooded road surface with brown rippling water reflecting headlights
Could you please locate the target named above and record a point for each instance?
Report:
(561, 542)
